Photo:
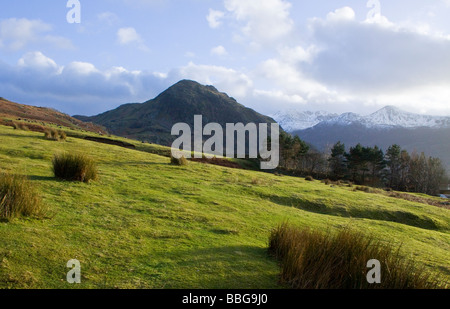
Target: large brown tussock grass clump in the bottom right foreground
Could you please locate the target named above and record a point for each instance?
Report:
(315, 260)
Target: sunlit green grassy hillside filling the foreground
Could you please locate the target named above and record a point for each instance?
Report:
(148, 224)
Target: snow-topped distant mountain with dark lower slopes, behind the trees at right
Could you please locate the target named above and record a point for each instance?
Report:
(388, 126)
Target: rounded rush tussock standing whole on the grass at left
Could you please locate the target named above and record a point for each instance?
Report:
(74, 167)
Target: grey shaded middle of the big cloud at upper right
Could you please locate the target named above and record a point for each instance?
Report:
(373, 57)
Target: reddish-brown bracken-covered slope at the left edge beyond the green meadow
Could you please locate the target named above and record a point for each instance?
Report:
(14, 111)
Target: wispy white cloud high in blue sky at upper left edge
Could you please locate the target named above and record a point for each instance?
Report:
(16, 34)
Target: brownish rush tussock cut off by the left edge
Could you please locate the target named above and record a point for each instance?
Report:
(18, 197)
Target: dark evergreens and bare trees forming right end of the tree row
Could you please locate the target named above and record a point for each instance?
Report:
(396, 169)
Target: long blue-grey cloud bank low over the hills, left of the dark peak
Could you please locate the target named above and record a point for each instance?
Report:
(38, 79)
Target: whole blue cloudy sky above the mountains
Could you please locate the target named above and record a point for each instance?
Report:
(270, 55)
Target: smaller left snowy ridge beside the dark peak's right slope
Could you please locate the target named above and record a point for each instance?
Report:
(293, 120)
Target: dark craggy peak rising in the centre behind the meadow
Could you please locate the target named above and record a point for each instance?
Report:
(153, 120)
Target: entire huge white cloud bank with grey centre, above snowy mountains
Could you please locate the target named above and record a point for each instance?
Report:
(354, 64)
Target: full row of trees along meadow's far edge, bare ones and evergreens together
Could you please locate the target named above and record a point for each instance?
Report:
(396, 169)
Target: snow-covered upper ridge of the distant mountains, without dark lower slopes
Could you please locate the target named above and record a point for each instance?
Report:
(387, 117)
